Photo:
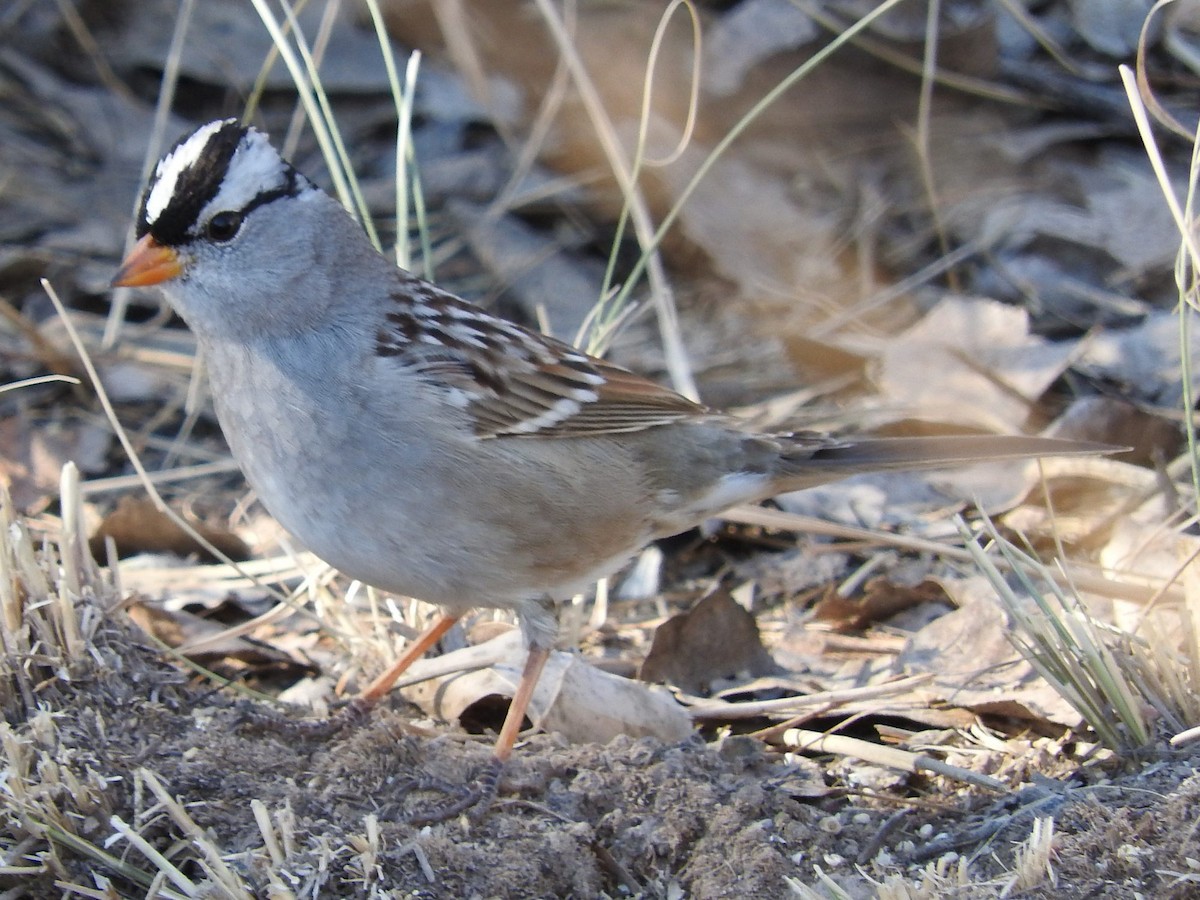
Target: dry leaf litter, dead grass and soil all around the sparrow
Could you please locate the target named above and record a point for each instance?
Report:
(985, 249)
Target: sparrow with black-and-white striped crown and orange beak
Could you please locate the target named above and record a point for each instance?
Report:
(425, 447)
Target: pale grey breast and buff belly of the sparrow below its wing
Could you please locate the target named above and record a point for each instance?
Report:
(445, 520)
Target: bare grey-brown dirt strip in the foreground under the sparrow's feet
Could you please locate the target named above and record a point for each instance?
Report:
(719, 819)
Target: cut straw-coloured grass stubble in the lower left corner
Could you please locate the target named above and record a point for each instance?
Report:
(53, 602)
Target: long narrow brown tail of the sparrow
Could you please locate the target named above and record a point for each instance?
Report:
(815, 461)
